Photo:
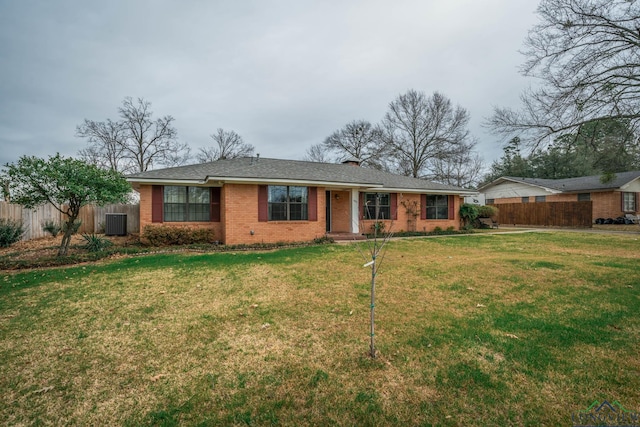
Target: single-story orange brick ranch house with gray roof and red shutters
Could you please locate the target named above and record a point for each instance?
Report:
(253, 200)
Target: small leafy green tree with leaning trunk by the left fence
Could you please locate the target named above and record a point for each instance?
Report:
(67, 184)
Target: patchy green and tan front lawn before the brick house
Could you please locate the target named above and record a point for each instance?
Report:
(471, 330)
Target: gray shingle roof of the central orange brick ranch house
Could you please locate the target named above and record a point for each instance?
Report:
(265, 169)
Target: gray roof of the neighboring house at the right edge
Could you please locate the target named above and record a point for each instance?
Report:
(572, 185)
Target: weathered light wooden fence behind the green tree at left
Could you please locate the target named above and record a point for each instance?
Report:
(92, 217)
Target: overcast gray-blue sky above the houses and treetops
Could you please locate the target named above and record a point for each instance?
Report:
(283, 74)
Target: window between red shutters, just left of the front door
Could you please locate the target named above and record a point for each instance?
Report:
(288, 203)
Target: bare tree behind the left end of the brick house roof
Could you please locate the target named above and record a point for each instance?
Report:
(136, 142)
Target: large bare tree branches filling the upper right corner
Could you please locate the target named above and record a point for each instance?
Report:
(585, 53)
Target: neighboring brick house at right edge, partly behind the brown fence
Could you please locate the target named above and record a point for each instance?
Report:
(609, 200)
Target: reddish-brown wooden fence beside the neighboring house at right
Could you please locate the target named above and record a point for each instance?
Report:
(548, 214)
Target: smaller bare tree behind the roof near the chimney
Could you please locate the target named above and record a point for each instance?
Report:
(359, 139)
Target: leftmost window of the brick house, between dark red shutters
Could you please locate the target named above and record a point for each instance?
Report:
(186, 204)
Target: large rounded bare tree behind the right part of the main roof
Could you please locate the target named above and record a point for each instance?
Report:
(418, 129)
